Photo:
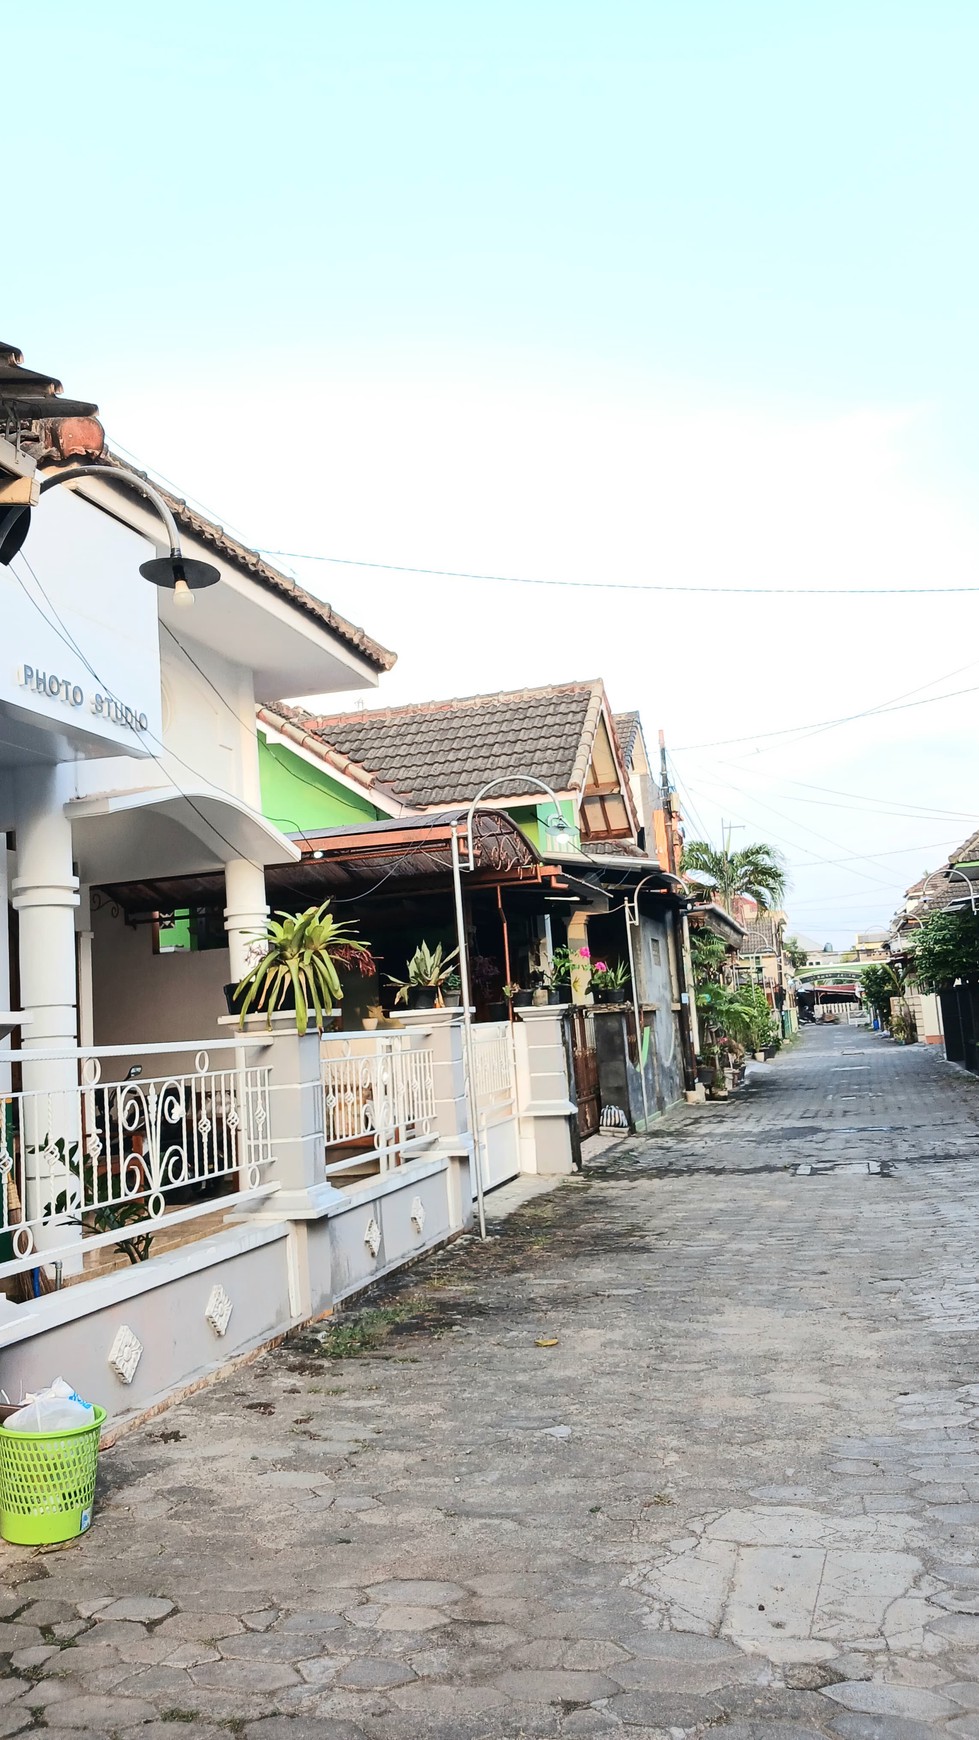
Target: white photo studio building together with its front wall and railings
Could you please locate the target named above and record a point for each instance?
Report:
(262, 1175)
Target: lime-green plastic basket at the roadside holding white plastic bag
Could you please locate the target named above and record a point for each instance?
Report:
(48, 1483)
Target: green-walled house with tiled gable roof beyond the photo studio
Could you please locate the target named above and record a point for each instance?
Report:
(578, 782)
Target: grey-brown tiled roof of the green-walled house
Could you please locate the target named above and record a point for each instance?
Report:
(444, 753)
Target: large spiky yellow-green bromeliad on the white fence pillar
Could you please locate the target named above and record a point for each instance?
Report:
(300, 961)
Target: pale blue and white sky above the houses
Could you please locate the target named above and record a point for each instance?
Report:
(623, 295)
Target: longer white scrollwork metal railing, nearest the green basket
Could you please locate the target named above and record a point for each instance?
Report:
(95, 1161)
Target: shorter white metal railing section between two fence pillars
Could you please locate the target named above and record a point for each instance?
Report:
(378, 1102)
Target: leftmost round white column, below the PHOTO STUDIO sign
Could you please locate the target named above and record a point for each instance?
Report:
(46, 895)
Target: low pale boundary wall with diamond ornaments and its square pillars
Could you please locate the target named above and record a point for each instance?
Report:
(138, 1337)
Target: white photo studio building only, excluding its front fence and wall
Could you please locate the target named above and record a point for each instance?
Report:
(128, 751)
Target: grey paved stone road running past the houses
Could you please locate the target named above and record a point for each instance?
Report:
(742, 1492)
